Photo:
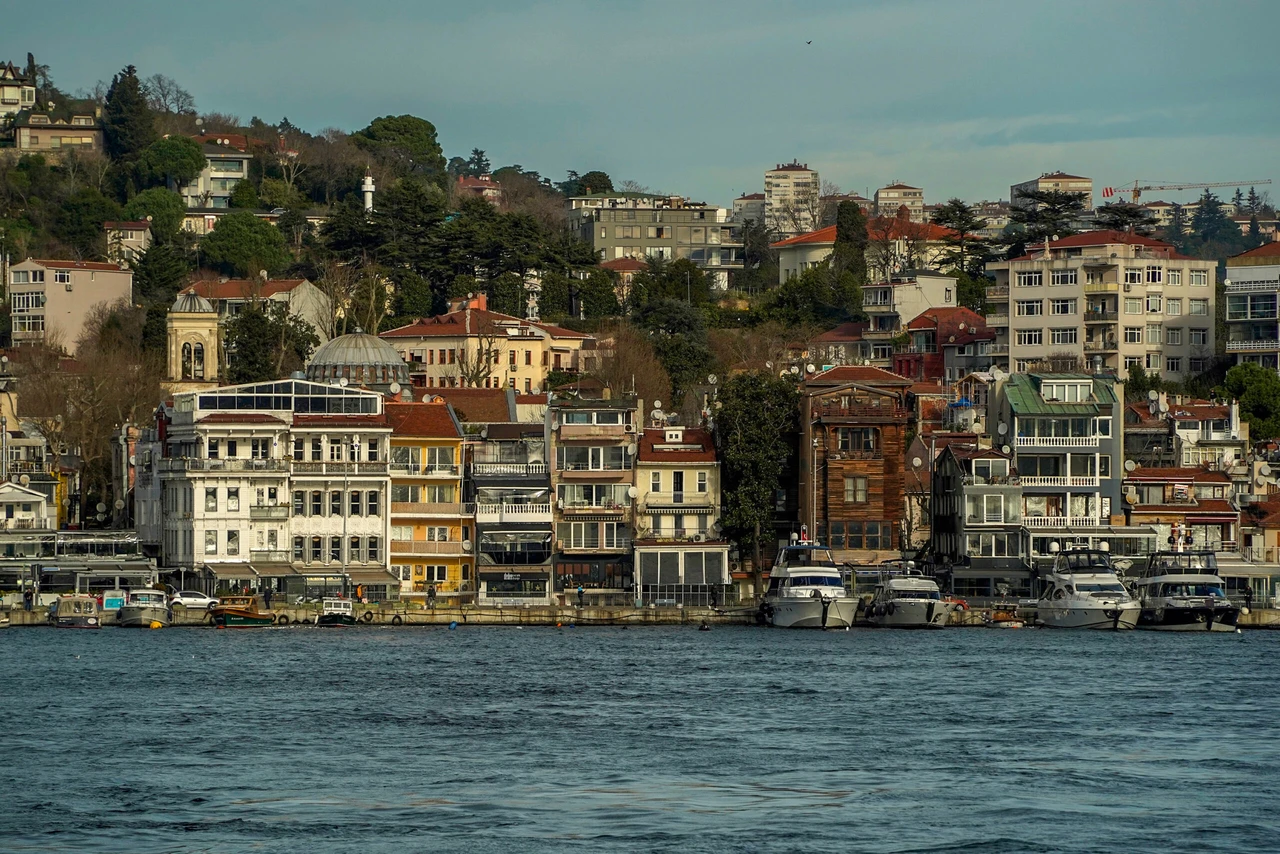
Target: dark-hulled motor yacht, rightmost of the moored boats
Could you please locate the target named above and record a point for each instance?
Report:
(1183, 592)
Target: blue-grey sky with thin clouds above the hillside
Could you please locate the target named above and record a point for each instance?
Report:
(698, 97)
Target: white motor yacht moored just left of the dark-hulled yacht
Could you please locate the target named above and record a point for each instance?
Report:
(1082, 591)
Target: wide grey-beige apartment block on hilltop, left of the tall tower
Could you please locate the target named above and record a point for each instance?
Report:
(641, 227)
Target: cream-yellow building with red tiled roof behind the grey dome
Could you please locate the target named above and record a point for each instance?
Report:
(474, 348)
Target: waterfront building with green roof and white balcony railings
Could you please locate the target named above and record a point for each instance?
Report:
(1064, 436)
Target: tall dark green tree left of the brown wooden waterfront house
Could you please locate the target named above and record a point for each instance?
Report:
(755, 427)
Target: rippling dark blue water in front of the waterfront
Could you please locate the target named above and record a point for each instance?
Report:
(643, 739)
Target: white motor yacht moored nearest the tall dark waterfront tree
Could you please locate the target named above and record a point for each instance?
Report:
(807, 591)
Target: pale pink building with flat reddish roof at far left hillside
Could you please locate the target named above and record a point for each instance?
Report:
(52, 300)
